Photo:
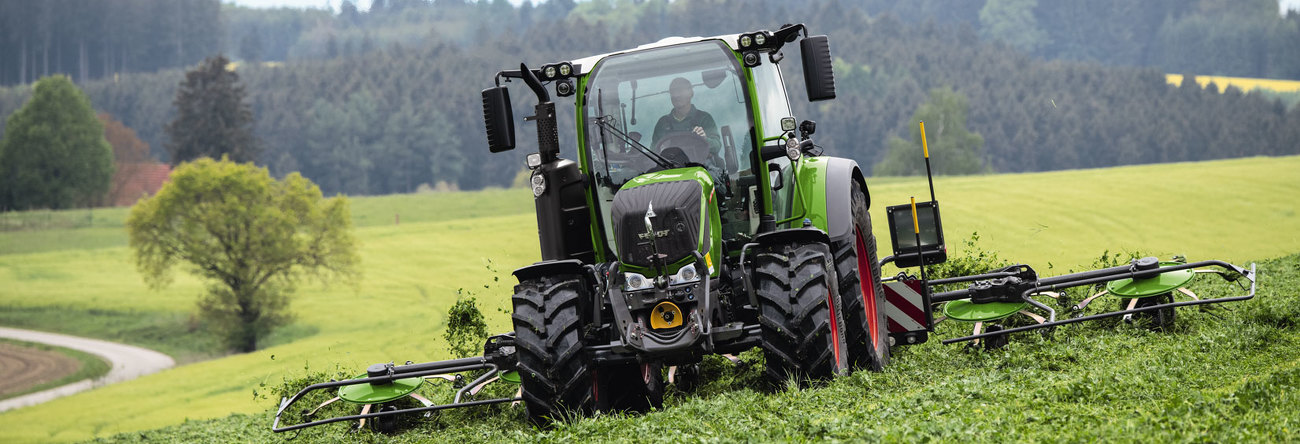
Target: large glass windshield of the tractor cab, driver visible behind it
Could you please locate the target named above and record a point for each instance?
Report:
(671, 107)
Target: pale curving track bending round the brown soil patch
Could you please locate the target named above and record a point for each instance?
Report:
(128, 363)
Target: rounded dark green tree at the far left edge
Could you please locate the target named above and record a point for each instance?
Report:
(54, 154)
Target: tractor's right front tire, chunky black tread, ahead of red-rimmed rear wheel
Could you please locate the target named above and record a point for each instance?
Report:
(800, 329)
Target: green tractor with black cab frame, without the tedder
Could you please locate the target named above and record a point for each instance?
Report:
(695, 223)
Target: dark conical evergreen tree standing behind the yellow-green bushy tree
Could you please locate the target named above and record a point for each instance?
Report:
(213, 119)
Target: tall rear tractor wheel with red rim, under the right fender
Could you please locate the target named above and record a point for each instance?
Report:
(860, 273)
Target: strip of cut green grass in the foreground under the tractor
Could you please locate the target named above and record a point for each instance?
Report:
(1230, 377)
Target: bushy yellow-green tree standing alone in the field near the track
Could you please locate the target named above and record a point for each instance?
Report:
(250, 237)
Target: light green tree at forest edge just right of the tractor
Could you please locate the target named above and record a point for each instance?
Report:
(954, 150)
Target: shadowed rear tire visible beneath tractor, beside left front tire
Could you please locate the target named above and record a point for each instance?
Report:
(630, 388)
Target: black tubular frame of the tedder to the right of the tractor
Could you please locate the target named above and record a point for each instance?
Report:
(1097, 277)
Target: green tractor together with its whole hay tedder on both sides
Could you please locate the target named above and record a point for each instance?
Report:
(700, 219)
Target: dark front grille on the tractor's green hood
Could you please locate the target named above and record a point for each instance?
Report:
(677, 223)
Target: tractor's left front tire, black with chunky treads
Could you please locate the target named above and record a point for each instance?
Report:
(556, 376)
